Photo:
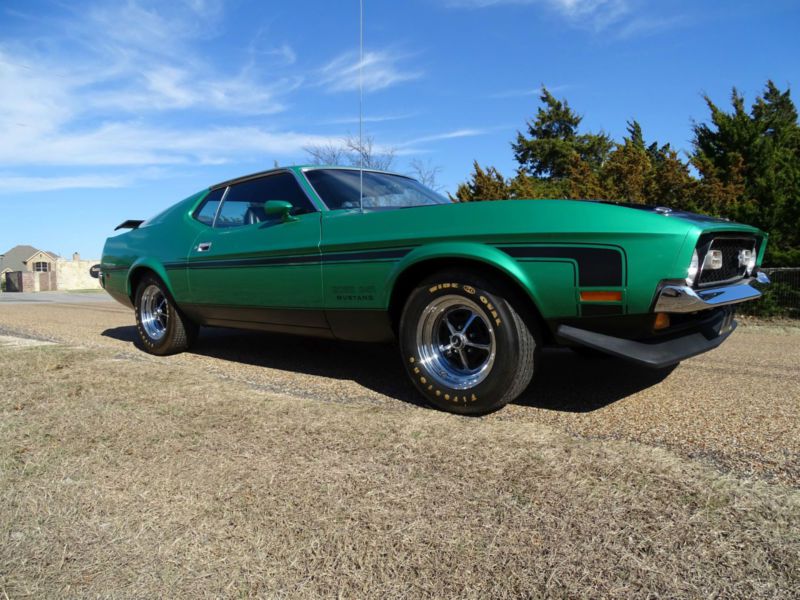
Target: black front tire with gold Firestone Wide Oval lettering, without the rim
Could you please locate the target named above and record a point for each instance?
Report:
(485, 396)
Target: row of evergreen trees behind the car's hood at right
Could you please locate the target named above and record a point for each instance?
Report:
(744, 165)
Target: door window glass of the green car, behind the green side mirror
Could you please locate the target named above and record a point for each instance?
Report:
(244, 204)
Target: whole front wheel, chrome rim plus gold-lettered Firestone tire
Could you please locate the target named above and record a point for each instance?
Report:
(464, 345)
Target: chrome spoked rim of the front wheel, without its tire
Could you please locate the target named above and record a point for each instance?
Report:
(456, 342)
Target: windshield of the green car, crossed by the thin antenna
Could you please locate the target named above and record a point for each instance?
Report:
(339, 188)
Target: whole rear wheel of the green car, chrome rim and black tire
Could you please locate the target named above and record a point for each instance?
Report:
(162, 328)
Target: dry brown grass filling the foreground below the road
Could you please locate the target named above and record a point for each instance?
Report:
(137, 479)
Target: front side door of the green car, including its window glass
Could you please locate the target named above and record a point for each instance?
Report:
(248, 267)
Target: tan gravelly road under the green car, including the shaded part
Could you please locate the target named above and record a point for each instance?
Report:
(737, 407)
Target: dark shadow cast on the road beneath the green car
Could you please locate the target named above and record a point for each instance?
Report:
(564, 381)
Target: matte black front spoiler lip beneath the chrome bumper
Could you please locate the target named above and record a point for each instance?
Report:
(661, 352)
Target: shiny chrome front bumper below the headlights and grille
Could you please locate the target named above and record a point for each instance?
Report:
(684, 299)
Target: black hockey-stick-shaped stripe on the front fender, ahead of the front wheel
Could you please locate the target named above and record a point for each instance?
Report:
(596, 266)
